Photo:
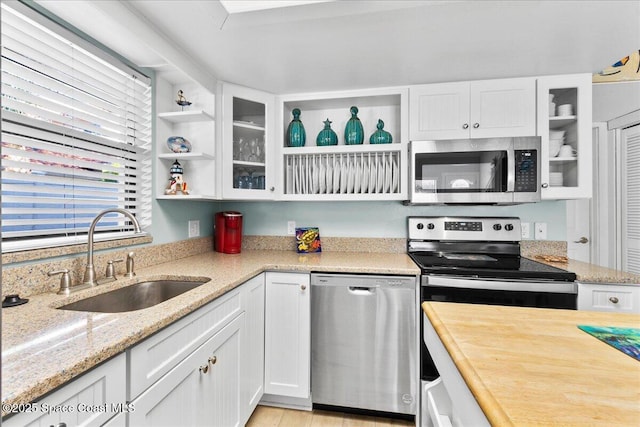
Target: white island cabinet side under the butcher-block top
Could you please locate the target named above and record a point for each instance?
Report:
(454, 403)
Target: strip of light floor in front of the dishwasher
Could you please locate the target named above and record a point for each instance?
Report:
(266, 416)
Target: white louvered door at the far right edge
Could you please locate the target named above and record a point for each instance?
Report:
(630, 198)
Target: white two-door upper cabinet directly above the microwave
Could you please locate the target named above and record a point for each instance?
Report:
(478, 109)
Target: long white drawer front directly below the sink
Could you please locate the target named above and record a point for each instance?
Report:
(158, 354)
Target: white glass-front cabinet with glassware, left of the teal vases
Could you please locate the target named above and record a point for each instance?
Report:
(247, 143)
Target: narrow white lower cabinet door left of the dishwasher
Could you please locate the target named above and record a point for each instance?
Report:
(287, 334)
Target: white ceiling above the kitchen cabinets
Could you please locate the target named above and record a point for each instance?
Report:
(348, 44)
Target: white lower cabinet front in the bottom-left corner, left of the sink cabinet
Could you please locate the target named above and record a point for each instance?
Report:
(89, 400)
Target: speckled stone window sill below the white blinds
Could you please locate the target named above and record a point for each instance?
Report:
(37, 254)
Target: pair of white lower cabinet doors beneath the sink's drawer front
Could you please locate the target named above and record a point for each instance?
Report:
(202, 390)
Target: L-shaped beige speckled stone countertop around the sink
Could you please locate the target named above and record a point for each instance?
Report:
(43, 348)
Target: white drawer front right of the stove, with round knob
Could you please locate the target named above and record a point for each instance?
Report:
(624, 299)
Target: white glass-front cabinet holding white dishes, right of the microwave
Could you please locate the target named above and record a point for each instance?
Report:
(564, 126)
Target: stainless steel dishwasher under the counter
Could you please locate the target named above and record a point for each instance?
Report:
(364, 342)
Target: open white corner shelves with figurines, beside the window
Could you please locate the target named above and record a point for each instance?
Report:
(196, 124)
